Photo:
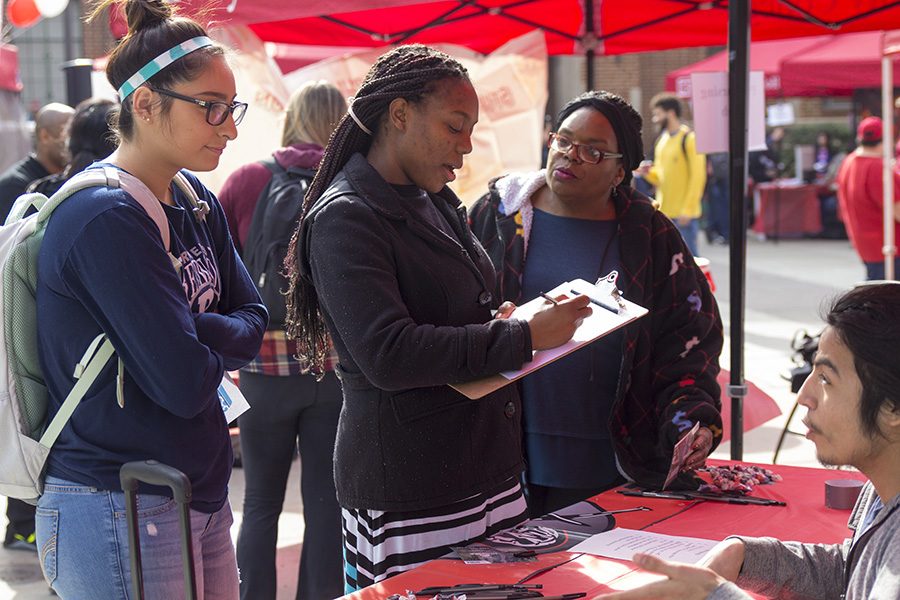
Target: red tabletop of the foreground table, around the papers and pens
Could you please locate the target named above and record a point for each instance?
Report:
(805, 519)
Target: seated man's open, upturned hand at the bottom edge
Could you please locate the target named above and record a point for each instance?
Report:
(684, 582)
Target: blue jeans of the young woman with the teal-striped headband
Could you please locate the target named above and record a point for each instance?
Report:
(82, 538)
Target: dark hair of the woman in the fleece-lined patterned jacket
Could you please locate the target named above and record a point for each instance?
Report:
(626, 122)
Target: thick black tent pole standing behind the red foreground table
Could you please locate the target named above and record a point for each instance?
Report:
(738, 85)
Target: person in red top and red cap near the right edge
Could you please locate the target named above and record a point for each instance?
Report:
(861, 198)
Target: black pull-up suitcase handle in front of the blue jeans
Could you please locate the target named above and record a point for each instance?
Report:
(156, 473)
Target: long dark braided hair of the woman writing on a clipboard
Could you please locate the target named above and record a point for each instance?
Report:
(409, 72)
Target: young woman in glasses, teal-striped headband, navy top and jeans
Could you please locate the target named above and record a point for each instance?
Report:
(178, 317)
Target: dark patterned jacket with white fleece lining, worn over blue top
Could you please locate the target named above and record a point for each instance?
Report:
(670, 358)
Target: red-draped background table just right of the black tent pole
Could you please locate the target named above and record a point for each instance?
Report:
(787, 210)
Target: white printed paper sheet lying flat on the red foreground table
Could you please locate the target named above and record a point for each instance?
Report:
(625, 543)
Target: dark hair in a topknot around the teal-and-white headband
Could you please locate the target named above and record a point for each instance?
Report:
(153, 28)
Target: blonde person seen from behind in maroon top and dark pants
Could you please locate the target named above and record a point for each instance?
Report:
(289, 407)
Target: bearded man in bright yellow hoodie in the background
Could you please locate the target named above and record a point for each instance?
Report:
(678, 171)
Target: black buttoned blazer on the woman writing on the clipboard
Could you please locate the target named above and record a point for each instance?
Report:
(408, 309)
